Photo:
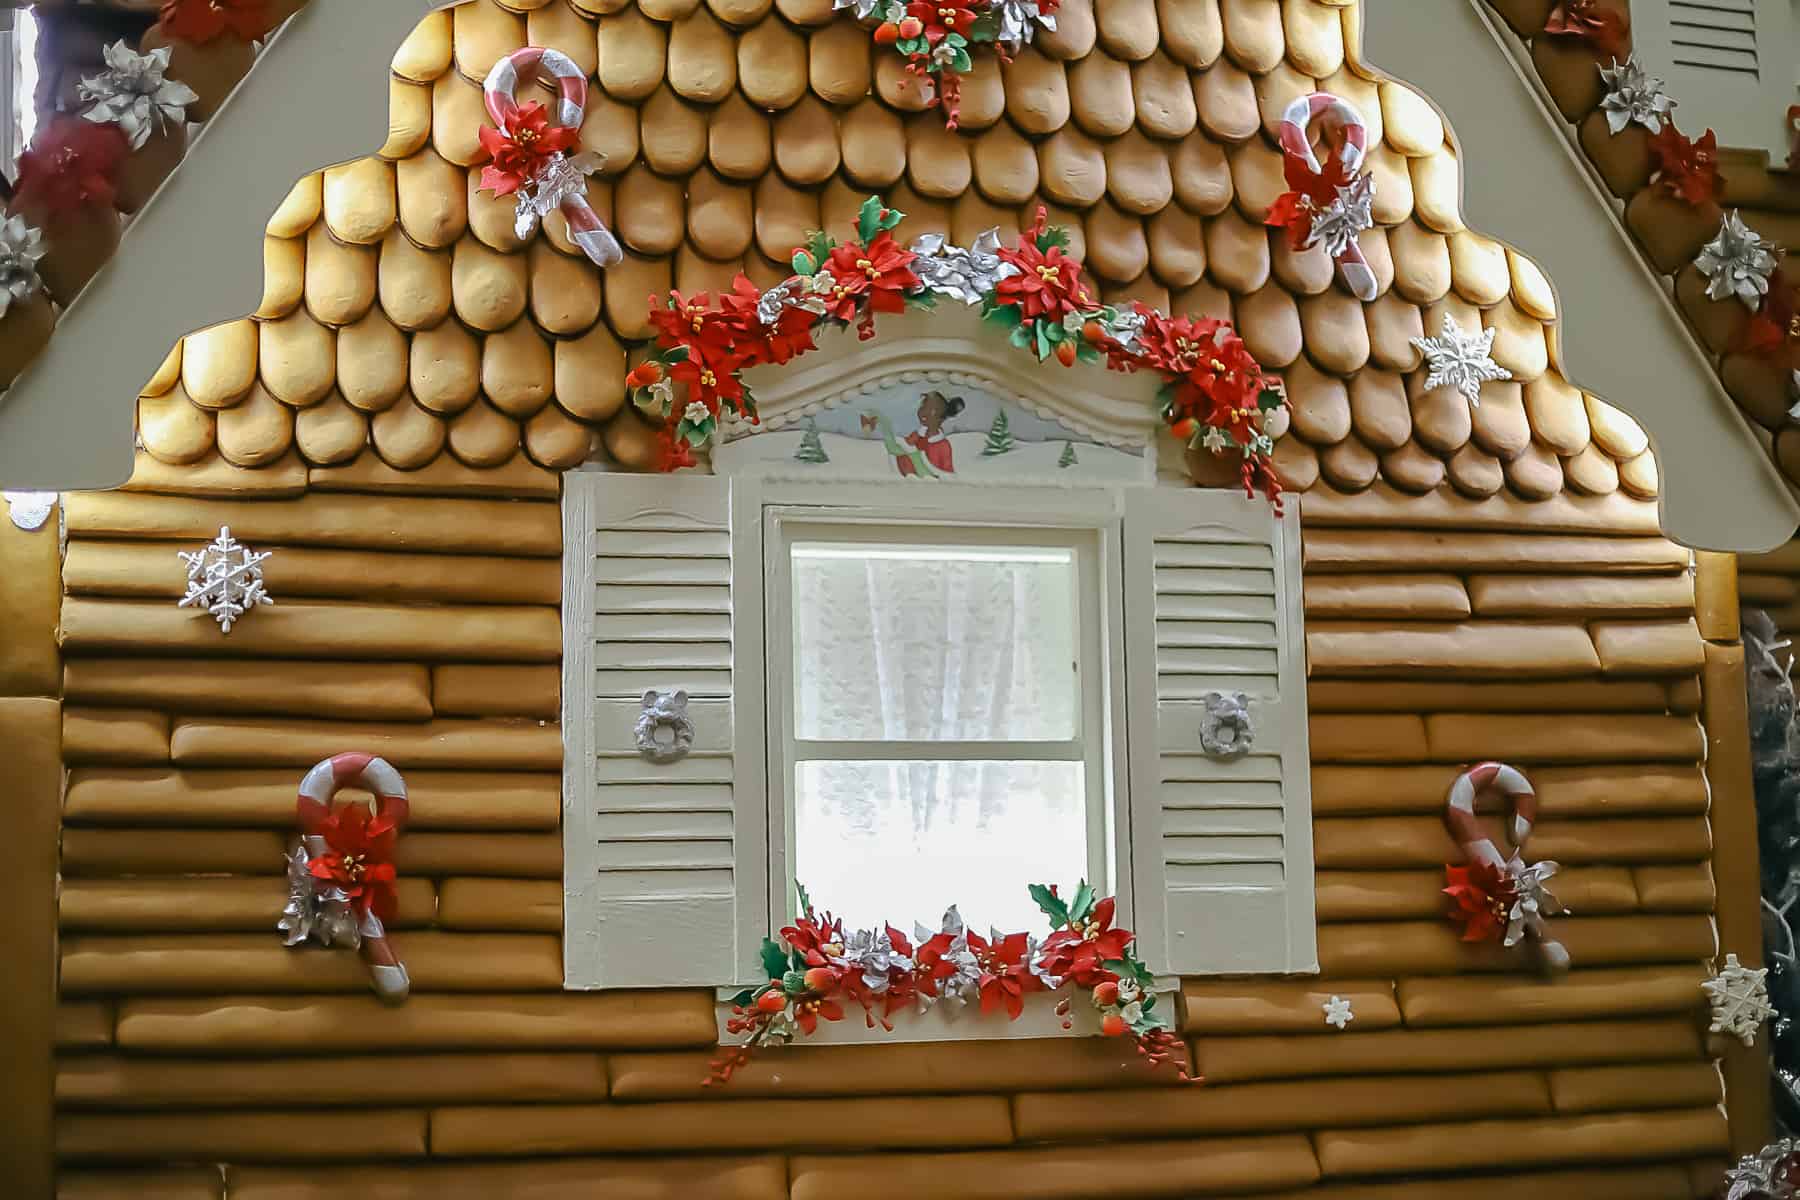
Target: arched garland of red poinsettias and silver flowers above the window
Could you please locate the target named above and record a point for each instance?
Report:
(1214, 393)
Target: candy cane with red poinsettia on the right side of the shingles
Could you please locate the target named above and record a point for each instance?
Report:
(1329, 206)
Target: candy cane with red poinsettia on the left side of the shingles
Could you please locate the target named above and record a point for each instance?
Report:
(528, 156)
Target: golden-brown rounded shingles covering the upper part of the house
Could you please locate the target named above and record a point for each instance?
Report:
(404, 319)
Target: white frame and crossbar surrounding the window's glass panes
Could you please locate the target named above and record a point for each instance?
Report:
(1086, 521)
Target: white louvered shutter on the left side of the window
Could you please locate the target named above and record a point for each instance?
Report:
(658, 857)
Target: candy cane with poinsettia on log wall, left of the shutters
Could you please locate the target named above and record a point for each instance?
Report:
(343, 872)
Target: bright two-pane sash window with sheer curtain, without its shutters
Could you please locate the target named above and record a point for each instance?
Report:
(939, 701)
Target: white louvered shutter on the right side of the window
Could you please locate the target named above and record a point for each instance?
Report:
(1221, 848)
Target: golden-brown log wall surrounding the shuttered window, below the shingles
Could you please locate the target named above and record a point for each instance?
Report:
(420, 620)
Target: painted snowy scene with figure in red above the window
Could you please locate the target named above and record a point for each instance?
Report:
(931, 433)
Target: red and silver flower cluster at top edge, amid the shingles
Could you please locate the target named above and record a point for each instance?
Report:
(937, 37)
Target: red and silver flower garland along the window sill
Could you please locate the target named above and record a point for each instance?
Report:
(818, 972)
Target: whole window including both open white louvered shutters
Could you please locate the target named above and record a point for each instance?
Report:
(930, 694)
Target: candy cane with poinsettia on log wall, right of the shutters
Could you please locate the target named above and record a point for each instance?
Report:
(1525, 895)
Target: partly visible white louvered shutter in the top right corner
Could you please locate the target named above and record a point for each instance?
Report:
(1732, 66)
